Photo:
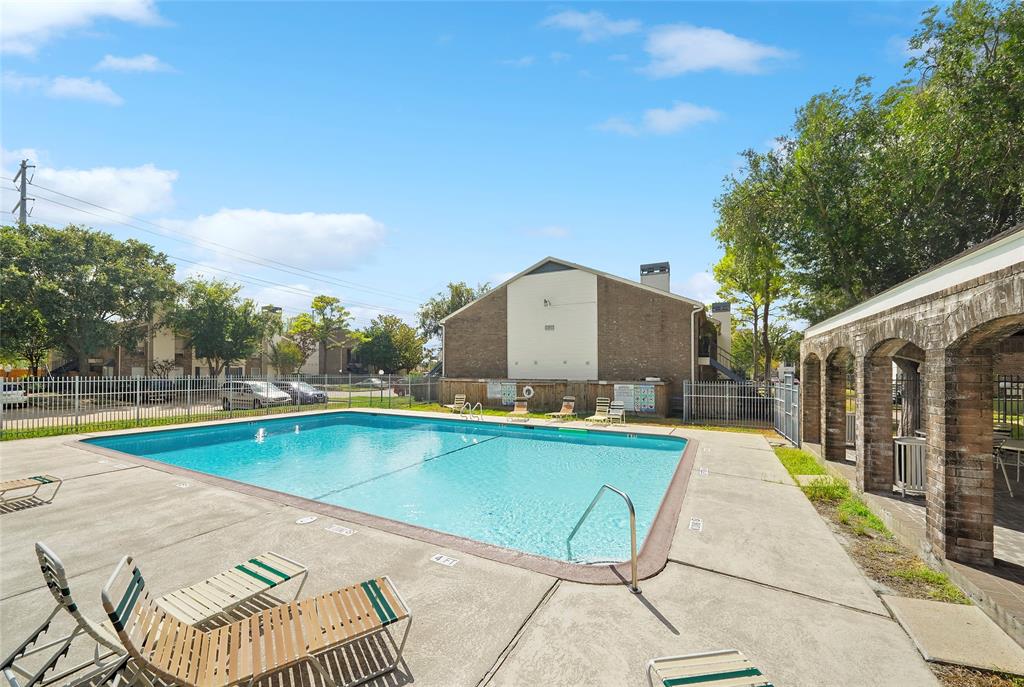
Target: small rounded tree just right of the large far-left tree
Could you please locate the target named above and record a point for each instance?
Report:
(222, 327)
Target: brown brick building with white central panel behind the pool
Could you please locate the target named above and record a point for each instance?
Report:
(561, 321)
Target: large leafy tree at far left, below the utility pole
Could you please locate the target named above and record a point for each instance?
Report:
(91, 291)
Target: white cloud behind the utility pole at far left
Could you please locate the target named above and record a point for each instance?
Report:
(133, 191)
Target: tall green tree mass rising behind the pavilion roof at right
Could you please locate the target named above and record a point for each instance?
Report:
(877, 185)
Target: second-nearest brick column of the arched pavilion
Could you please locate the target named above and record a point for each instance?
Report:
(875, 414)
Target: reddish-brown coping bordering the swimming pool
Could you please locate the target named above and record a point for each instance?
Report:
(652, 559)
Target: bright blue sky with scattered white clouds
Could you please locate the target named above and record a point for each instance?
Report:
(377, 152)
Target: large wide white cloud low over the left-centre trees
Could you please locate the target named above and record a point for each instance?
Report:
(311, 240)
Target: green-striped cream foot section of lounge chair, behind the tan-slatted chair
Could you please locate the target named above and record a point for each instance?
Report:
(223, 593)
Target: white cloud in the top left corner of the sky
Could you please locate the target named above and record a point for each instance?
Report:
(27, 25)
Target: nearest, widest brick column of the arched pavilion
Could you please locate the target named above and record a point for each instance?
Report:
(961, 477)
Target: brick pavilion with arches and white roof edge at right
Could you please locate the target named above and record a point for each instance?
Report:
(955, 326)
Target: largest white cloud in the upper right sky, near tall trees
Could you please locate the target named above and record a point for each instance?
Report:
(679, 49)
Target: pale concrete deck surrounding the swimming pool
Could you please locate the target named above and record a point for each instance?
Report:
(763, 575)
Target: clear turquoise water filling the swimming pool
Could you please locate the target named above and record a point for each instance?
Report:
(509, 486)
